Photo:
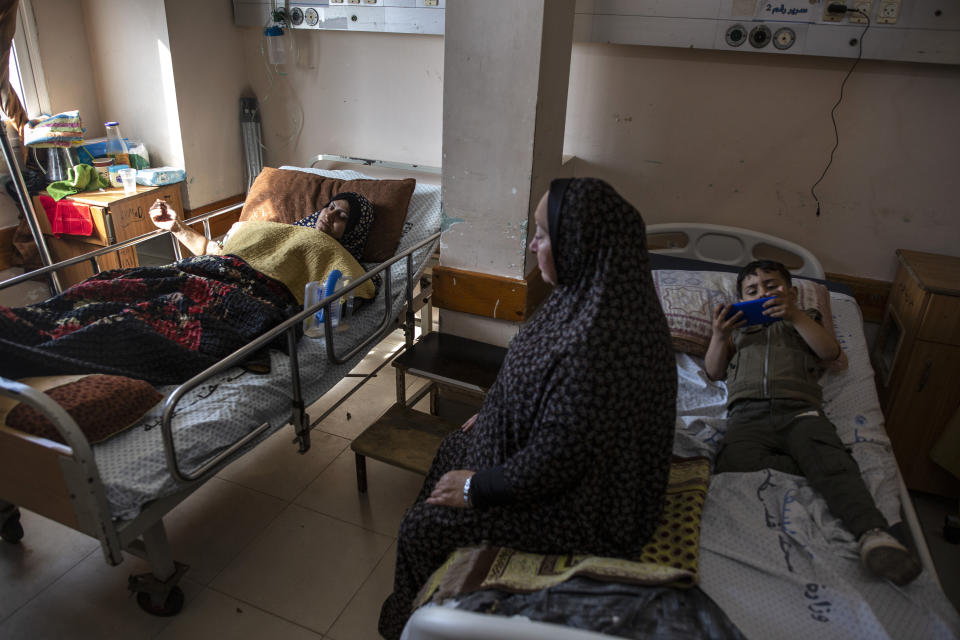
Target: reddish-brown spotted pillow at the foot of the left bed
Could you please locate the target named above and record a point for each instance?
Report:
(102, 405)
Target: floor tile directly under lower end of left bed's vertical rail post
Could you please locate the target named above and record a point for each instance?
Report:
(276, 468)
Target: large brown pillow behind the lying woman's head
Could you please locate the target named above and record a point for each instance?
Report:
(284, 195)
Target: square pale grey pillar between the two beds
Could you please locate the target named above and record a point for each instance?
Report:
(506, 72)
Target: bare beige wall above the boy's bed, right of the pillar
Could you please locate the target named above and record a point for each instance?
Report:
(739, 139)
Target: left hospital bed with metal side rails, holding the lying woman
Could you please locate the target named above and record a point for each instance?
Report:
(118, 491)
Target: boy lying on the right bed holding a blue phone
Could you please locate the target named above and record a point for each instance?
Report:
(775, 415)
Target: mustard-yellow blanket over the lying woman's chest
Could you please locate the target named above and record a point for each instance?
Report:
(293, 255)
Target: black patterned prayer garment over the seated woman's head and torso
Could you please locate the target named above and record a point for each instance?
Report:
(579, 424)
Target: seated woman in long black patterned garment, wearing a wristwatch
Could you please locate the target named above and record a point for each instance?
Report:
(571, 449)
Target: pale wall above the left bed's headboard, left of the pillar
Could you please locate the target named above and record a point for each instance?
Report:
(370, 95)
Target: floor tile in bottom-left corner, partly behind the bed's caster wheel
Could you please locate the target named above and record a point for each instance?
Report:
(90, 602)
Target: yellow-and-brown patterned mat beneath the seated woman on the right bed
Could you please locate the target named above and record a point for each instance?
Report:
(669, 557)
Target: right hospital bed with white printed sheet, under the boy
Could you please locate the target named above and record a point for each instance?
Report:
(771, 556)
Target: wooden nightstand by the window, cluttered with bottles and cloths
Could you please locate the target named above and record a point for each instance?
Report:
(116, 217)
